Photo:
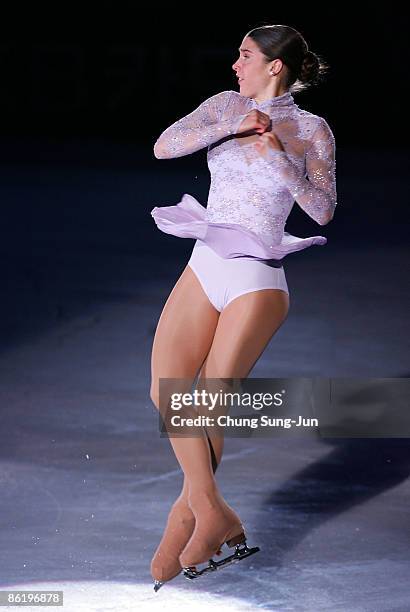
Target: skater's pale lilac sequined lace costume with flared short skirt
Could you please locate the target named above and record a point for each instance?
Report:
(251, 195)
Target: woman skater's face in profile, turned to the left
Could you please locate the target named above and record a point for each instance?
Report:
(252, 70)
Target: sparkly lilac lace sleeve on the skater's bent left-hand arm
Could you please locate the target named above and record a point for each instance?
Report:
(197, 130)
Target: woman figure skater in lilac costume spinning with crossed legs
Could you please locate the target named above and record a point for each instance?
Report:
(232, 296)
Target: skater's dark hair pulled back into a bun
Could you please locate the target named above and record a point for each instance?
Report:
(305, 68)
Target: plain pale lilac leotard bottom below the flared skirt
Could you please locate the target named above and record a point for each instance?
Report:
(224, 279)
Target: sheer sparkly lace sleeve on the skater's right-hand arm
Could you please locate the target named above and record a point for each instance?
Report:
(316, 196)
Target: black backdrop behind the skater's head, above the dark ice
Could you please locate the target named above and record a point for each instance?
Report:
(110, 70)
